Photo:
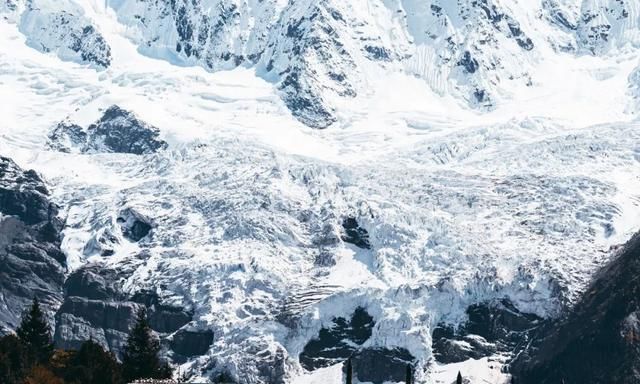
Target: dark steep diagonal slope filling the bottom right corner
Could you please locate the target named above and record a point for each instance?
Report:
(598, 341)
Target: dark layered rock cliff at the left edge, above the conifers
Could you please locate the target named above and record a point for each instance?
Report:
(31, 262)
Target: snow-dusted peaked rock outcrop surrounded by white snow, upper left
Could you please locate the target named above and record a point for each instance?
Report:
(117, 131)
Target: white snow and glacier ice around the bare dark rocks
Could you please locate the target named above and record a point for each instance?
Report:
(524, 199)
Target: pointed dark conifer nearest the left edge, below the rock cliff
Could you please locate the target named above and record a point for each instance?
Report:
(35, 335)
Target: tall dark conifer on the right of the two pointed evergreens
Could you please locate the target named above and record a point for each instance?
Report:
(140, 359)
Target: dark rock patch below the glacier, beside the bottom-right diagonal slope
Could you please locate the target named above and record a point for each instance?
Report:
(495, 326)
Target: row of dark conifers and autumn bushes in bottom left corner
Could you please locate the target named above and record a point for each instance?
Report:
(29, 356)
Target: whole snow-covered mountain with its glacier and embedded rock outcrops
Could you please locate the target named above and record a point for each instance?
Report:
(480, 160)
